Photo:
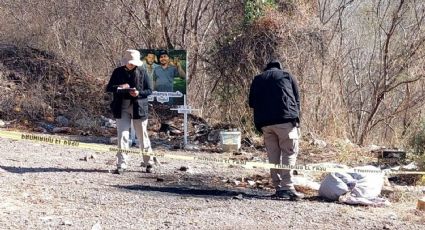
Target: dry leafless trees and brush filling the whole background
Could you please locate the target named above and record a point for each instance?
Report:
(360, 64)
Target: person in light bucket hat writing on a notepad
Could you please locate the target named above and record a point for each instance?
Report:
(130, 86)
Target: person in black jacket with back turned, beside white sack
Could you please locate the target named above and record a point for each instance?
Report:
(275, 99)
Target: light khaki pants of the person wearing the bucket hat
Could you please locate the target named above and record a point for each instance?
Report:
(123, 129)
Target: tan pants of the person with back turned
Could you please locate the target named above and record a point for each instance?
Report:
(281, 142)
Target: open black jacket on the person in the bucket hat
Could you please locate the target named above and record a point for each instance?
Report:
(136, 78)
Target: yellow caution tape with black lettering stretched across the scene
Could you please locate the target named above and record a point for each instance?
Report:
(249, 164)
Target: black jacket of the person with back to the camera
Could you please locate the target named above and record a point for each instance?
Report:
(274, 97)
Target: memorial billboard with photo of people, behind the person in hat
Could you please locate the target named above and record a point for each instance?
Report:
(167, 73)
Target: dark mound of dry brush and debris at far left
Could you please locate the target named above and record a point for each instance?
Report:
(39, 87)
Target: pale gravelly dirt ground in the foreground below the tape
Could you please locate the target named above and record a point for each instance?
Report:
(45, 186)
